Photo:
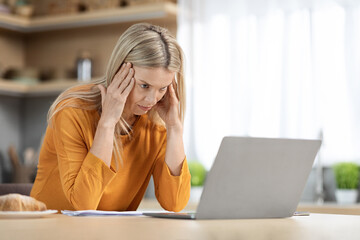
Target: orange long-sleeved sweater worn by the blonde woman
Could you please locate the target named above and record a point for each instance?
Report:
(70, 177)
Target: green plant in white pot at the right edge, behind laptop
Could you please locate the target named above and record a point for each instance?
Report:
(347, 182)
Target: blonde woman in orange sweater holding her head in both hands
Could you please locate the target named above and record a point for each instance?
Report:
(104, 140)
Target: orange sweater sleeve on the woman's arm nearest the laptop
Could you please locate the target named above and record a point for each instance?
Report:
(172, 192)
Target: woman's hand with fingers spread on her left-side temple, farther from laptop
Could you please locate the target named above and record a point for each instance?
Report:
(114, 97)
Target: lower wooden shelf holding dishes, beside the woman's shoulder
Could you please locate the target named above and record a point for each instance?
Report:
(9, 88)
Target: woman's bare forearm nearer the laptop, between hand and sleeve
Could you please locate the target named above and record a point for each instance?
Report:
(175, 154)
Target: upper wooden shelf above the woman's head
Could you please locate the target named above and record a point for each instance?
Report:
(163, 11)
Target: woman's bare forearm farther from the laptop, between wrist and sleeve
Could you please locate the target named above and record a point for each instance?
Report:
(103, 142)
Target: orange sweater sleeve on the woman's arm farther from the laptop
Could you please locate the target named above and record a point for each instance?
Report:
(83, 175)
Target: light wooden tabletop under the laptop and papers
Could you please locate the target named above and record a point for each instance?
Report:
(58, 226)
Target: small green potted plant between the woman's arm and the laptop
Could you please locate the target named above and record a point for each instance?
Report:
(198, 175)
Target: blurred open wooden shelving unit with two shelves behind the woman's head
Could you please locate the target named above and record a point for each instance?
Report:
(53, 42)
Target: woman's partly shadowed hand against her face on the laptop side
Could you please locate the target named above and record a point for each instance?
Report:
(168, 109)
